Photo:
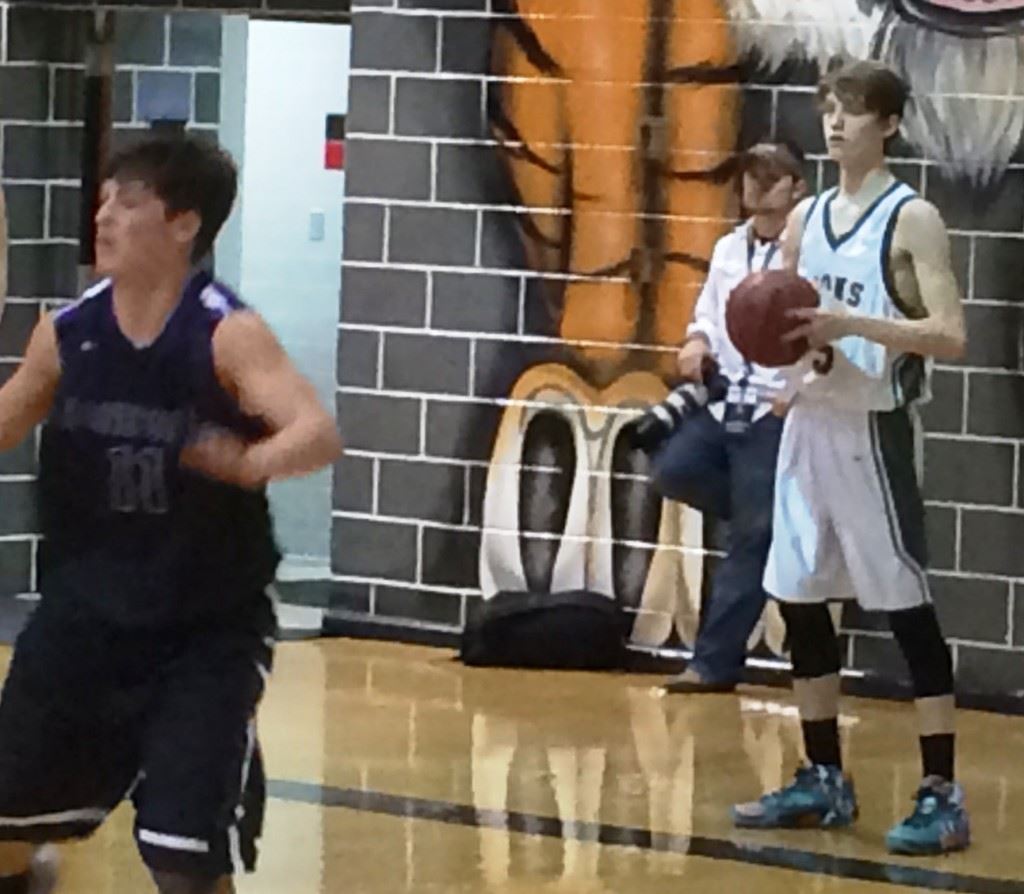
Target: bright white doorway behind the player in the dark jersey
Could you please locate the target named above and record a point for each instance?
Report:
(283, 247)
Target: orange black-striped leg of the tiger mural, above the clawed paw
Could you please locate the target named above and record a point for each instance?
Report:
(619, 146)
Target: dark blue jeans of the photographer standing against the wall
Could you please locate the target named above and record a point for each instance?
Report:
(732, 477)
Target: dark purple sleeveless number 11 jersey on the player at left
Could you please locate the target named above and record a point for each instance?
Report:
(130, 534)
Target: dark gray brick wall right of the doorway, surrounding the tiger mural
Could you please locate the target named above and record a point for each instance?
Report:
(442, 314)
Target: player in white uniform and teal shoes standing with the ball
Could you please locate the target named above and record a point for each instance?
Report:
(849, 519)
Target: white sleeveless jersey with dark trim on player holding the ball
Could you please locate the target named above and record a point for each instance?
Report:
(854, 271)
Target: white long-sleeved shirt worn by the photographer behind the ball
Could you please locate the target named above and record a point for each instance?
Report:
(737, 256)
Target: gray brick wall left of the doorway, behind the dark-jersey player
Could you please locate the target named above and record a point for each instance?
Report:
(41, 77)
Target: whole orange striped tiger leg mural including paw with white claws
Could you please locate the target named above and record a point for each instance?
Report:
(620, 148)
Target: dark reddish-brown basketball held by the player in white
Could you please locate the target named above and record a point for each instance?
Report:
(757, 317)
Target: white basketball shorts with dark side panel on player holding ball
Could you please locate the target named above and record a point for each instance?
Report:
(849, 522)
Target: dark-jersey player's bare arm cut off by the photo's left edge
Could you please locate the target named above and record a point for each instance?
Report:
(27, 398)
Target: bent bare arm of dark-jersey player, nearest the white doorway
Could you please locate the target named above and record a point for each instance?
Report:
(252, 365)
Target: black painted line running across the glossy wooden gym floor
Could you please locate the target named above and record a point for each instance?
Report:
(645, 839)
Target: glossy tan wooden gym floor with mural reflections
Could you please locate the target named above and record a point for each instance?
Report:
(396, 770)
